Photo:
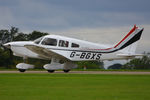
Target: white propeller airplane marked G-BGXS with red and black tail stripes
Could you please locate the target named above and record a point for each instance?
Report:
(64, 51)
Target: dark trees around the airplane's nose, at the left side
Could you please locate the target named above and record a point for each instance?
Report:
(7, 60)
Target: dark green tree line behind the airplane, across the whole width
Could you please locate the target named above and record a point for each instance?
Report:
(7, 60)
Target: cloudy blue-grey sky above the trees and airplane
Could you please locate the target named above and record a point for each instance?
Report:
(100, 21)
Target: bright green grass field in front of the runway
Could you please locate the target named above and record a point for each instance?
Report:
(24, 86)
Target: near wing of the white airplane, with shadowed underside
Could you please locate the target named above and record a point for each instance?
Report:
(45, 53)
